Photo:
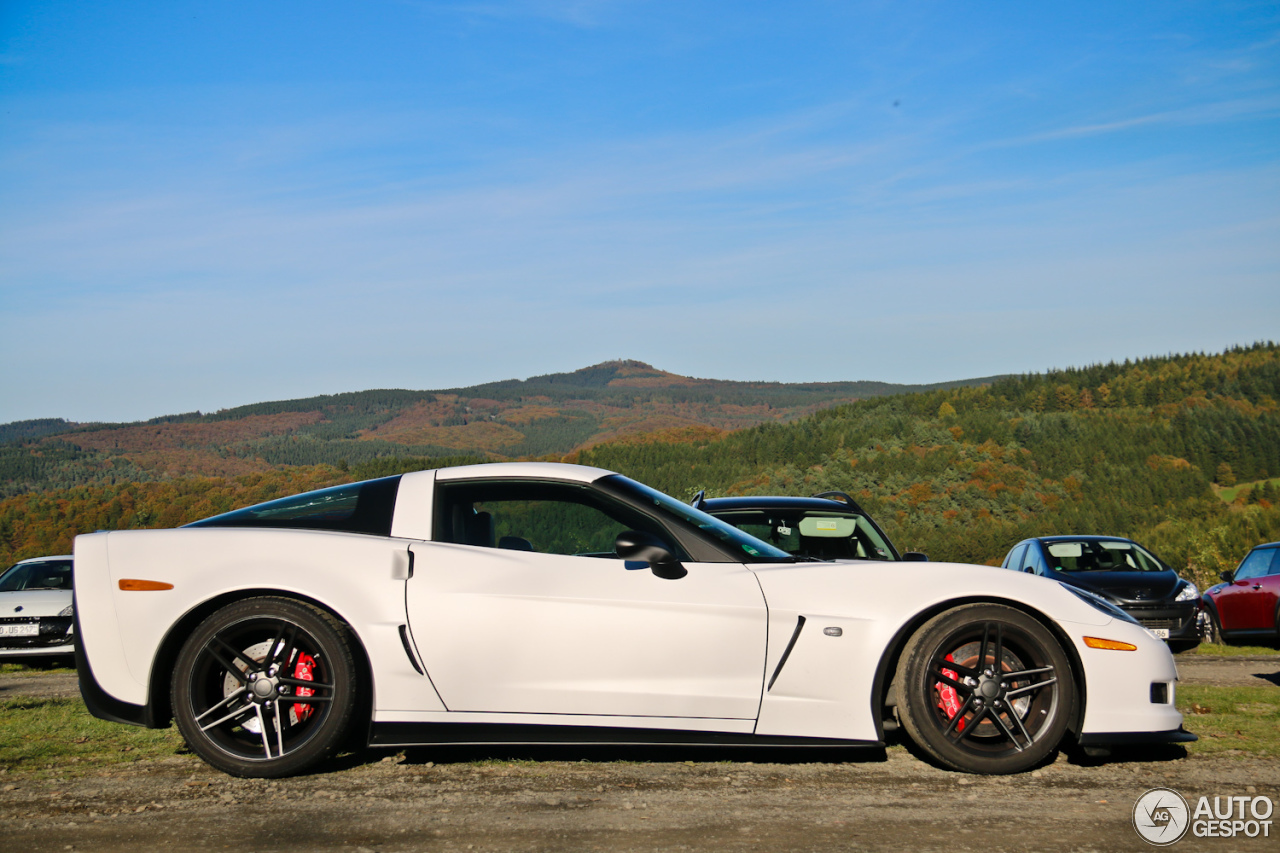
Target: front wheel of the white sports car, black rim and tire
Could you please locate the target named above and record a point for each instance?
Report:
(964, 715)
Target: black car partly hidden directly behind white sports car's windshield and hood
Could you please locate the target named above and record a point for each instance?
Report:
(825, 527)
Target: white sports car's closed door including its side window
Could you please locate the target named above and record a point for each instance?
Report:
(528, 612)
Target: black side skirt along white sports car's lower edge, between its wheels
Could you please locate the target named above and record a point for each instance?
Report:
(418, 735)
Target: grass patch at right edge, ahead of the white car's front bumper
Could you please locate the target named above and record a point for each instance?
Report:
(1244, 720)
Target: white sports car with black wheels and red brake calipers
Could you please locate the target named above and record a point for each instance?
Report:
(533, 603)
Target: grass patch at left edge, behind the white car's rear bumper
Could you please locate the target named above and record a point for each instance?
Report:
(47, 735)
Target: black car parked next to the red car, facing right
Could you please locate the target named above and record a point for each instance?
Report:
(1123, 573)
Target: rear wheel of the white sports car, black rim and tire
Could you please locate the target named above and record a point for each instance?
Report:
(266, 687)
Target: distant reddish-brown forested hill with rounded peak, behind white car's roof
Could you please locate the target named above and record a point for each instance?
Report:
(545, 416)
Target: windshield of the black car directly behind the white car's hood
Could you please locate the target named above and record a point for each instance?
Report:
(815, 535)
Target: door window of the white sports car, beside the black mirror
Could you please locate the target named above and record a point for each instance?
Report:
(543, 518)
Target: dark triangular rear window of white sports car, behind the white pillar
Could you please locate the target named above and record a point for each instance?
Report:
(355, 508)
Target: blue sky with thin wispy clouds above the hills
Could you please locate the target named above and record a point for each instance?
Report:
(205, 206)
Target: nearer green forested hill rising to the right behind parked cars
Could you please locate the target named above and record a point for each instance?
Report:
(1136, 450)
